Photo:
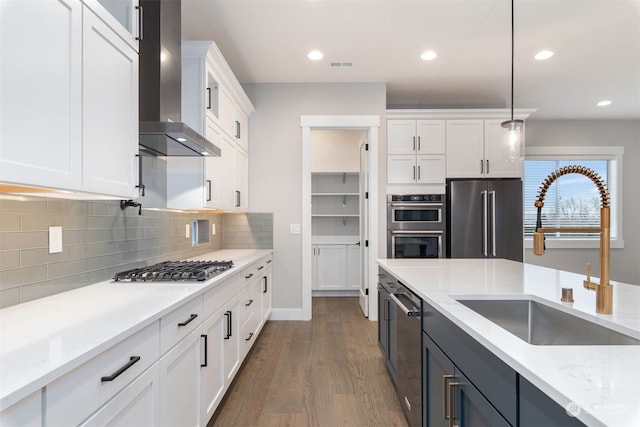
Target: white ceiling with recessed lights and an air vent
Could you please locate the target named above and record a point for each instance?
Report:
(596, 45)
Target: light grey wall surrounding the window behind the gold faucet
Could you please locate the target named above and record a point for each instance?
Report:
(625, 262)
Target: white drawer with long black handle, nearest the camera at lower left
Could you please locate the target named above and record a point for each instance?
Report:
(75, 396)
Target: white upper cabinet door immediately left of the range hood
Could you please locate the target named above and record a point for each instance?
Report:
(110, 111)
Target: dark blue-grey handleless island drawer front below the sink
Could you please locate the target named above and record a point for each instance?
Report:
(495, 379)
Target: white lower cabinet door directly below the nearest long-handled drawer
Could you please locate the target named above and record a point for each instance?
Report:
(138, 404)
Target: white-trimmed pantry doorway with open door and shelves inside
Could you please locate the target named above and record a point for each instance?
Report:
(340, 211)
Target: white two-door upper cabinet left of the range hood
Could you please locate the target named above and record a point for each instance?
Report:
(69, 99)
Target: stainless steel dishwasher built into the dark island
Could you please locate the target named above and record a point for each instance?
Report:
(409, 331)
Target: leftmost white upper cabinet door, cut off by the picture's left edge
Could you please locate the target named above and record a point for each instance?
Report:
(40, 93)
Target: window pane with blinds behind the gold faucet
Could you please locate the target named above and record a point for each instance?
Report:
(572, 200)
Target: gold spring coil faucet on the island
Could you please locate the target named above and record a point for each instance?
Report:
(604, 290)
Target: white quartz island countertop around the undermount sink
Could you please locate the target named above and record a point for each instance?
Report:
(604, 381)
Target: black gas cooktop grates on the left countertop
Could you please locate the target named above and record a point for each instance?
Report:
(174, 271)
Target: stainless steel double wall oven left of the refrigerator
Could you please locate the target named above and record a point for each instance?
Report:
(416, 225)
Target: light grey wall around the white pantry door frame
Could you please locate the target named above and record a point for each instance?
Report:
(275, 164)
